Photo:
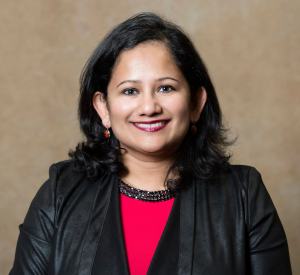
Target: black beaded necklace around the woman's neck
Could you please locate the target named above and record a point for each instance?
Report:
(150, 196)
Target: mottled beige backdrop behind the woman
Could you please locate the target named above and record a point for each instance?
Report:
(251, 49)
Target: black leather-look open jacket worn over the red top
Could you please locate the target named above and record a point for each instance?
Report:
(73, 226)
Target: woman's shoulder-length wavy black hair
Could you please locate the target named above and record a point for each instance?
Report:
(204, 154)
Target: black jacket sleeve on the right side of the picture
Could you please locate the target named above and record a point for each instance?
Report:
(268, 248)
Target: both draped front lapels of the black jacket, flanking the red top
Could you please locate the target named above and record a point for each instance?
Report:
(104, 250)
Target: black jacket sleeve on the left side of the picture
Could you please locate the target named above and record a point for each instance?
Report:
(34, 242)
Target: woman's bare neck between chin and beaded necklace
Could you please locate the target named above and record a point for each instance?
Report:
(145, 173)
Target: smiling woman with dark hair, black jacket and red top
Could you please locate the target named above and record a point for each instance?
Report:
(151, 189)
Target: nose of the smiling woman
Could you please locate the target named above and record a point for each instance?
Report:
(149, 105)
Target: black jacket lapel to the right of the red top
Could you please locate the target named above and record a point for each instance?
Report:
(174, 252)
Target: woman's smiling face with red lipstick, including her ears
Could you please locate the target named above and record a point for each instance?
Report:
(149, 101)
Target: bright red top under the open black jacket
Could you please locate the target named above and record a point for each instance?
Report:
(143, 223)
